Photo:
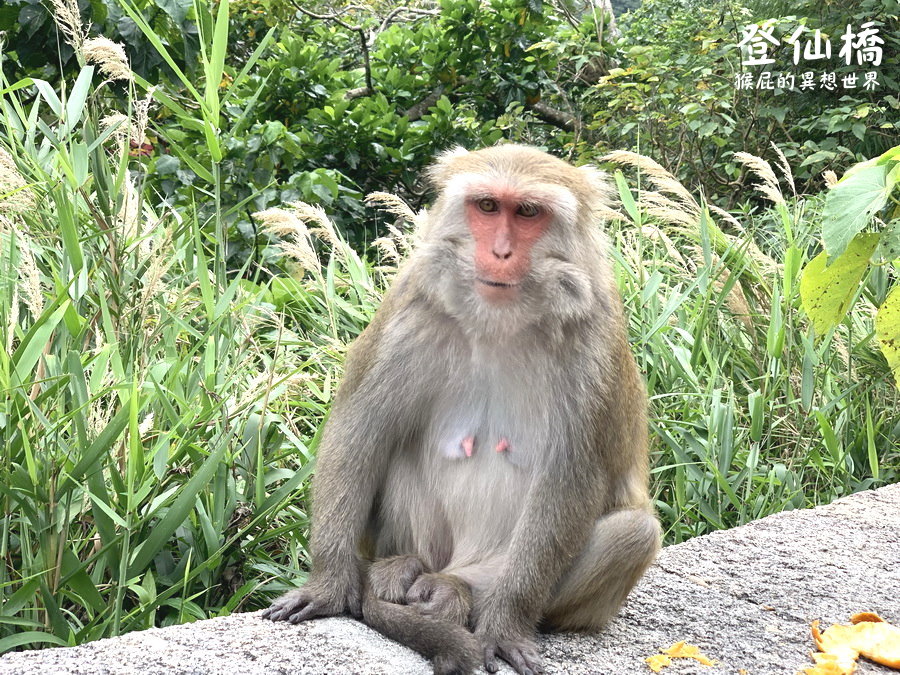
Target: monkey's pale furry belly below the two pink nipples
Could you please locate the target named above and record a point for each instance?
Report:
(452, 509)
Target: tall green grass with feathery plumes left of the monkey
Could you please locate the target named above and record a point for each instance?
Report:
(157, 415)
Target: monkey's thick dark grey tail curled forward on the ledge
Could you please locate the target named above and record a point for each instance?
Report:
(452, 649)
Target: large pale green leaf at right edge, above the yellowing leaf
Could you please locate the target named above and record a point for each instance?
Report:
(851, 203)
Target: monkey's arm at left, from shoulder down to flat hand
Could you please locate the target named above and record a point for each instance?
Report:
(368, 420)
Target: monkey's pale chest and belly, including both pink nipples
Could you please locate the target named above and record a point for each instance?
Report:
(458, 492)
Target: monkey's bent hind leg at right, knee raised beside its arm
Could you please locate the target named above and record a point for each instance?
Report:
(621, 548)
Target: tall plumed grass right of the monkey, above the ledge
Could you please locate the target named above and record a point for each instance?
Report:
(750, 414)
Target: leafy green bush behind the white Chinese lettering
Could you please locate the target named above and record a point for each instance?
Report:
(673, 93)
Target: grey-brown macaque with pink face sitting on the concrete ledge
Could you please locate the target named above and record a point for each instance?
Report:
(487, 448)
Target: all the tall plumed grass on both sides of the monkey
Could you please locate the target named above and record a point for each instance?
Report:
(159, 412)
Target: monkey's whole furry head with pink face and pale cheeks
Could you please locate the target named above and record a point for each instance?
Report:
(509, 242)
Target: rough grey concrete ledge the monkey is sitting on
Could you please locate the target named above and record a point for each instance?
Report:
(745, 597)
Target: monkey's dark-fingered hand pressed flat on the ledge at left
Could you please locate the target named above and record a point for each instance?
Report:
(320, 596)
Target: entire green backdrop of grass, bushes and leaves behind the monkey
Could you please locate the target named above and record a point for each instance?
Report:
(174, 313)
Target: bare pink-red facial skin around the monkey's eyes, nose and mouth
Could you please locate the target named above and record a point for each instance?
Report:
(505, 225)
